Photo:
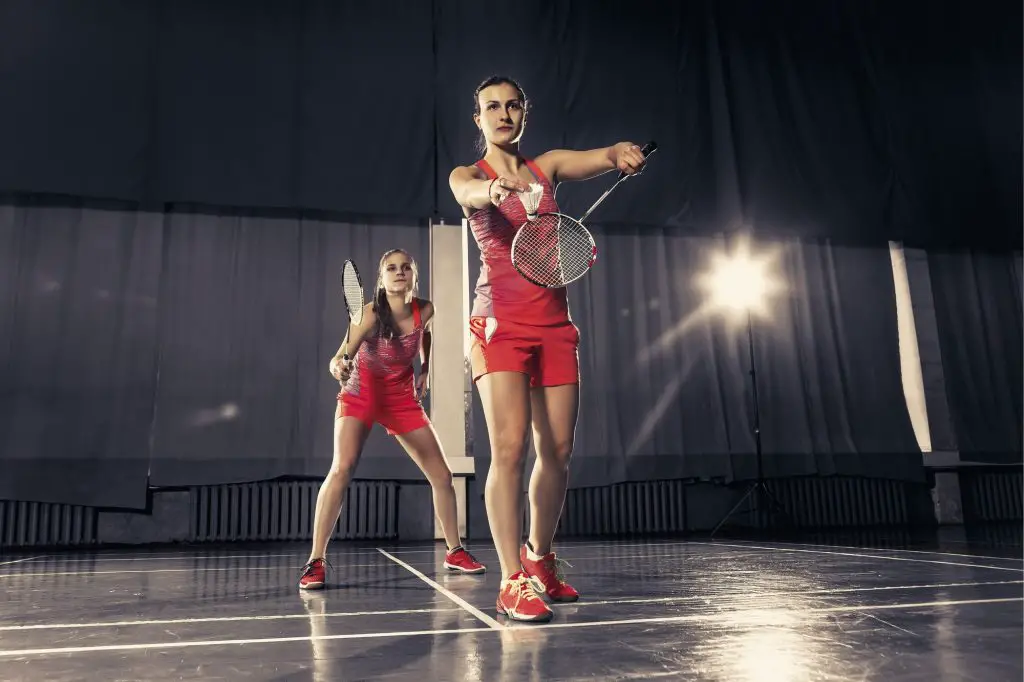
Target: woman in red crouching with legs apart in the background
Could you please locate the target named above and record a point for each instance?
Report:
(379, 387)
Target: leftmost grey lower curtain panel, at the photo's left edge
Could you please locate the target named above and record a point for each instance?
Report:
(78, 352)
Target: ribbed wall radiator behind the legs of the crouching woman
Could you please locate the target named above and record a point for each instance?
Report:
(284, 510)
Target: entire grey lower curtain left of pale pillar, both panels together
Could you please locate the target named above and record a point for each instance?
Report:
(185, 348)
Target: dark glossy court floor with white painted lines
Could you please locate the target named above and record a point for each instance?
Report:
(729, 611)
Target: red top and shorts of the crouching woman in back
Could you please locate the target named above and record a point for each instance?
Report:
(382, 387)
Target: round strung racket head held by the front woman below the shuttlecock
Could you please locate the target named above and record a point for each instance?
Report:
(553, 250)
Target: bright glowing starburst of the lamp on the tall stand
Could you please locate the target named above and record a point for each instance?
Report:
(740, 282)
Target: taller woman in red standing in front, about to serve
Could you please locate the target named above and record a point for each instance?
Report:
(525, 354)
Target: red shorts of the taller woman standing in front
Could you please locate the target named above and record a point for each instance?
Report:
(550, 356)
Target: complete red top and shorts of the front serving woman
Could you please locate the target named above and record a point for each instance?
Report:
(518, 326)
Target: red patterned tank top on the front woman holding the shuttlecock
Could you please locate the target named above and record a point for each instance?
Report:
(501, 291)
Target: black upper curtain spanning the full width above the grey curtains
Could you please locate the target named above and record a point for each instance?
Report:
(856, 120)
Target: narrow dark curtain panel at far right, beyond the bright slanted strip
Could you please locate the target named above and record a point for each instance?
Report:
(978, 315)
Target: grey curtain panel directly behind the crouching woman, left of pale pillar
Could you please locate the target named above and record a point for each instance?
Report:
(251, 313)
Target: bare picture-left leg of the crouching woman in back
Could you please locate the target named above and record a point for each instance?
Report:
(350, 437)
